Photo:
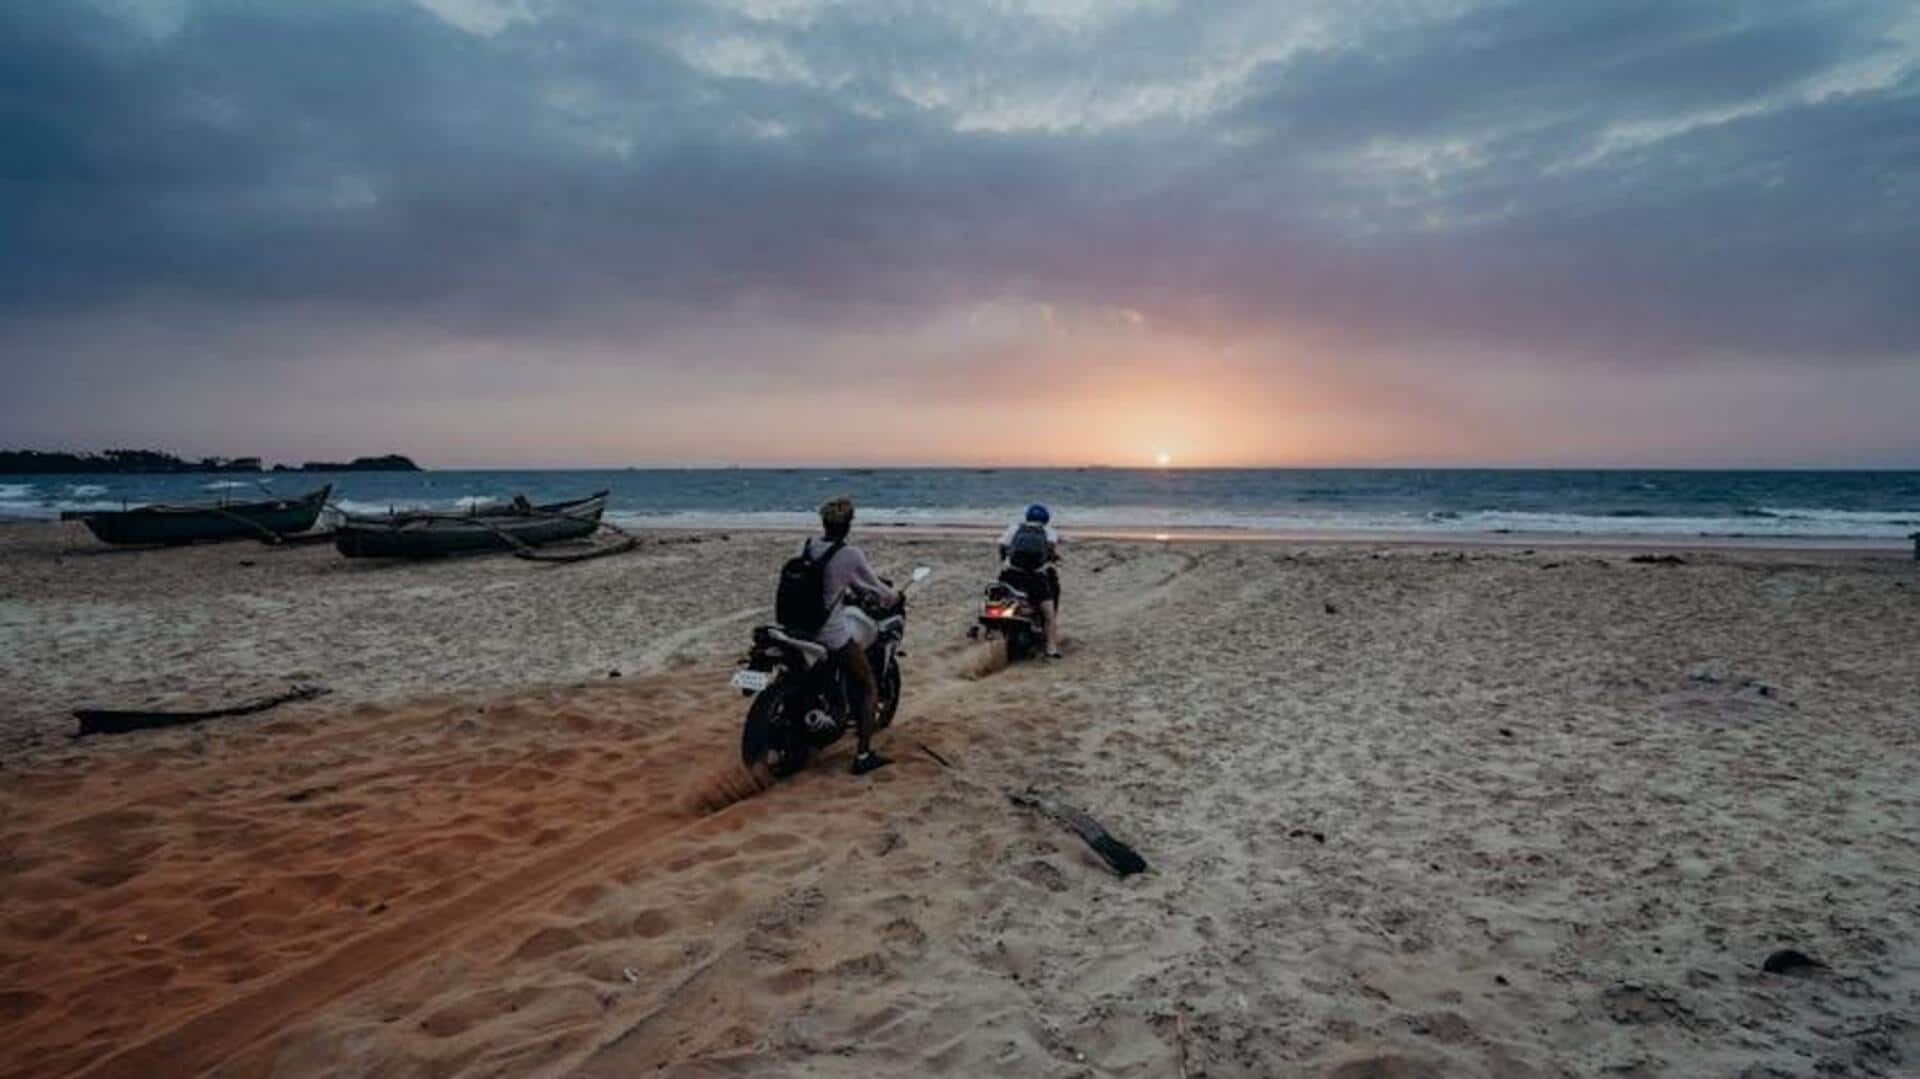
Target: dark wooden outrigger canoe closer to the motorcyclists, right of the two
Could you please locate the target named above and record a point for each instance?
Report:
(492, 529)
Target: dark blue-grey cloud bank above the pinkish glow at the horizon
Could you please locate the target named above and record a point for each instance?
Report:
(1635, 183)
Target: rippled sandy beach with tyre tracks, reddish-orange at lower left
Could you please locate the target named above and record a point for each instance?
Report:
(1410, 811)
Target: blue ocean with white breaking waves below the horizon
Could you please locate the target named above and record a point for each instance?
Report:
(1883, 508)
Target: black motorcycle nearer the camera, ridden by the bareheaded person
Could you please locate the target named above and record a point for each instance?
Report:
(802, 700)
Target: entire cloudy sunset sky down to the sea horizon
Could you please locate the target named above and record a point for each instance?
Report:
(564, 233)
